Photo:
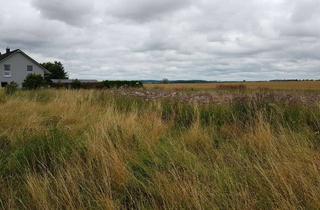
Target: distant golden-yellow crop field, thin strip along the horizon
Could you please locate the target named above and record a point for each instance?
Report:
(308, 85)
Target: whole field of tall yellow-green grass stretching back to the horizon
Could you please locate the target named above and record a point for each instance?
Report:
(162, 147)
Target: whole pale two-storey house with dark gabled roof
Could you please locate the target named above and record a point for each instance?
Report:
(15, 66)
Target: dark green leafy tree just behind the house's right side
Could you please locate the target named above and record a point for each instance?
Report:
(56, 70)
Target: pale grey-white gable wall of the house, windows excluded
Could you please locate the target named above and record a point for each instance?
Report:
(19, 71)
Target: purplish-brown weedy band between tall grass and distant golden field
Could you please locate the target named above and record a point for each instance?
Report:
(221, 97)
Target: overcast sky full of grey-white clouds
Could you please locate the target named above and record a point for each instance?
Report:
(174, 39)
